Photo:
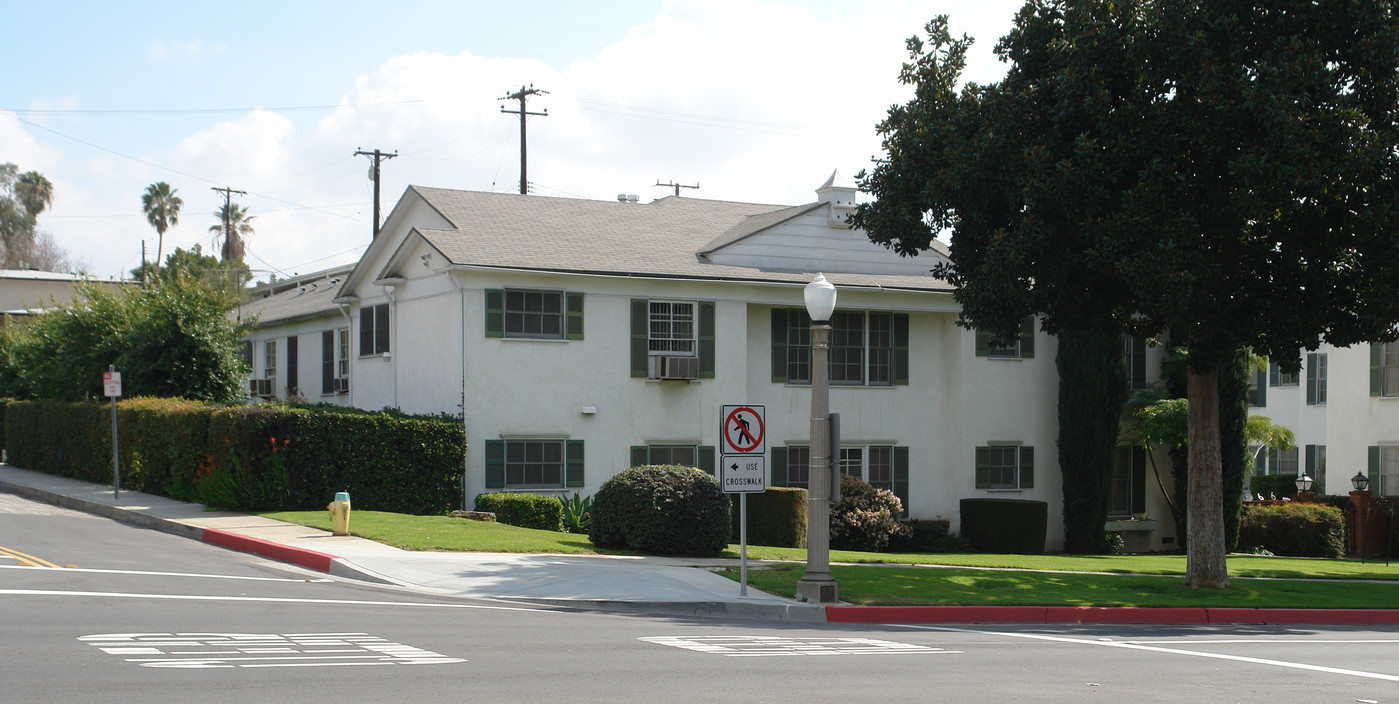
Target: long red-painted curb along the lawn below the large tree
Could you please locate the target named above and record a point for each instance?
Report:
(1176, 617)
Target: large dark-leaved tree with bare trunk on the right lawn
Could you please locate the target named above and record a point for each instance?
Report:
(1219, 169)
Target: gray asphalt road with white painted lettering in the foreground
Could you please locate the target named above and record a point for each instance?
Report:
(150, 618)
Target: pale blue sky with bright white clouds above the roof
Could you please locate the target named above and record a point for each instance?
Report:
(755, 101)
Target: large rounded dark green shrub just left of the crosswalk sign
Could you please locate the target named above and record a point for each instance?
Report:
(662, 510)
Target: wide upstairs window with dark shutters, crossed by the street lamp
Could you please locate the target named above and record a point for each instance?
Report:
(868, 348)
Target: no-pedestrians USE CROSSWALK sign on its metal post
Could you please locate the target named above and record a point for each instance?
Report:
(744, 468)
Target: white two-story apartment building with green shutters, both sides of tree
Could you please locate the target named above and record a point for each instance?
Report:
(578, 338)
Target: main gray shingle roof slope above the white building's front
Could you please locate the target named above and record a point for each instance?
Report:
(661, 239)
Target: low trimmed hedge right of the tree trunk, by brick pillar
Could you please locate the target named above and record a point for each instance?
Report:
(1293, 530)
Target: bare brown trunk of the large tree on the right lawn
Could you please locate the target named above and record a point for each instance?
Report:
(1205, 565)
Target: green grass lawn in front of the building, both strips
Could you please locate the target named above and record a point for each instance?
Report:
(886, 579)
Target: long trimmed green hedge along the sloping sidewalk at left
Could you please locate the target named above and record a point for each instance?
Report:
(250, 458)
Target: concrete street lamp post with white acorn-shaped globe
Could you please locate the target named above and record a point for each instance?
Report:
(818, 586)
